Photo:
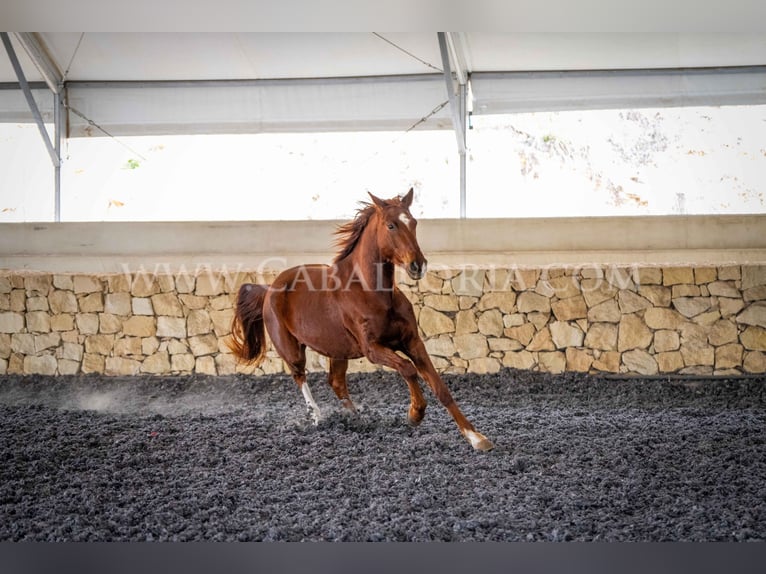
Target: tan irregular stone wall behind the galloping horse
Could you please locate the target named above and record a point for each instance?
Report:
(640, 319)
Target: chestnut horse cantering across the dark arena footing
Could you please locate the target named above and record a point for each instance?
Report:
(349, 310)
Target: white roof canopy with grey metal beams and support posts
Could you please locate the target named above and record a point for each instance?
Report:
(181, 83)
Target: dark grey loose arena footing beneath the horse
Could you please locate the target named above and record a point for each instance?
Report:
(577, 457)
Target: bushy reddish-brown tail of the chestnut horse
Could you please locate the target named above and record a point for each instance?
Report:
(248, 337)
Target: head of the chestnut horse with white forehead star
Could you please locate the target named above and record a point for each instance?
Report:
(396, 234)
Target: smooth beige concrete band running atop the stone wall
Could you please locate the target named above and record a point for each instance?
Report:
(119, 247)
